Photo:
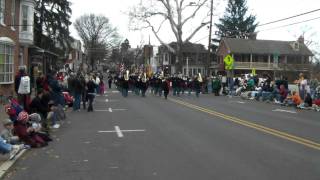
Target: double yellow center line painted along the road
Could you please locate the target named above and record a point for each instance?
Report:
(258, 127)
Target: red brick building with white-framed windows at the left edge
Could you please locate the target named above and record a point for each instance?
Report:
(16, 35)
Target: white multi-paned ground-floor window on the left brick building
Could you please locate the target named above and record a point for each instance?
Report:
(6, 64)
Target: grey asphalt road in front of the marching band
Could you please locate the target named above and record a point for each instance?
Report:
(185, 138)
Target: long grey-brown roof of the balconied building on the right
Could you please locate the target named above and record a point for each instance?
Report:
(265, 47)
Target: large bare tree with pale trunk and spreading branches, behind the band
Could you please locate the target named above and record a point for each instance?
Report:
(177, 14)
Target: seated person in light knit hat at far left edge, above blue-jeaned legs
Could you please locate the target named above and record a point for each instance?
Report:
(7, 132)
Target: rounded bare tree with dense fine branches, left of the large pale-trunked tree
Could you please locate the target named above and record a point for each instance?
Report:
(98, 36)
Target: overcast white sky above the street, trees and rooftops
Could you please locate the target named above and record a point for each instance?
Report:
(265, 11)
